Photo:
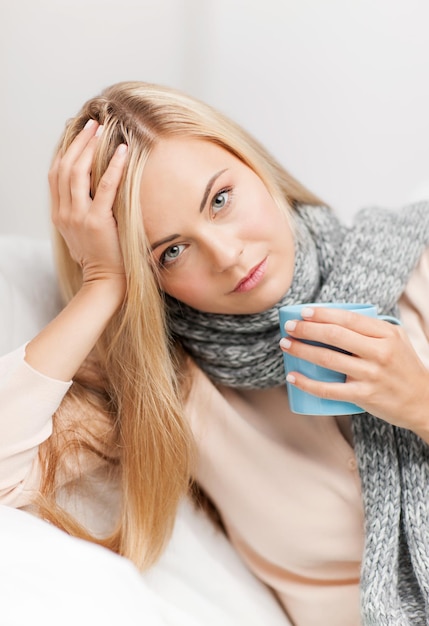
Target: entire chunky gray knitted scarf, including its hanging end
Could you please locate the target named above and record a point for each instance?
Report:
(370, 261)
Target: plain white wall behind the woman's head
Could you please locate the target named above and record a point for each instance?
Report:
(337, 89)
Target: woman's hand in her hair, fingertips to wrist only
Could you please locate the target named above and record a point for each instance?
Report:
(87, 224)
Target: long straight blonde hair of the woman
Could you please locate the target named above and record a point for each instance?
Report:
(132, 379)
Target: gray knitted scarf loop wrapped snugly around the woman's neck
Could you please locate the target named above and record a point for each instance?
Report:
(242, 350)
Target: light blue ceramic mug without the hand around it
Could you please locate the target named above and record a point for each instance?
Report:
(305, 403)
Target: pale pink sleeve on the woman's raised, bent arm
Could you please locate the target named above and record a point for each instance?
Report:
(28, 400)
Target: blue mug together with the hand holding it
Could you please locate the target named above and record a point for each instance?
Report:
(327, 345)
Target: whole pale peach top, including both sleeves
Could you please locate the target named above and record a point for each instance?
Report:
(286, 485)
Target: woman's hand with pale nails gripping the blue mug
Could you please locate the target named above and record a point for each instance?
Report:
(384, 375)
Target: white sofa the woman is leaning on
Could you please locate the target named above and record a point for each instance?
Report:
(47, 577)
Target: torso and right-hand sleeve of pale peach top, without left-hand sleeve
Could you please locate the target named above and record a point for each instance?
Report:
(288, 486)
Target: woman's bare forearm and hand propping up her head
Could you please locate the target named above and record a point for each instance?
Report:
(89, 229)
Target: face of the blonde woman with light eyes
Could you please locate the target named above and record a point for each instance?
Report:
(221, 243)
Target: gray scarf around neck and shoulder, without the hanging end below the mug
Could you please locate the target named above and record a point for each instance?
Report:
(369, 262)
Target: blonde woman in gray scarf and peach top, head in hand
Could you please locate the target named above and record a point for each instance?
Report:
(164, 206)
